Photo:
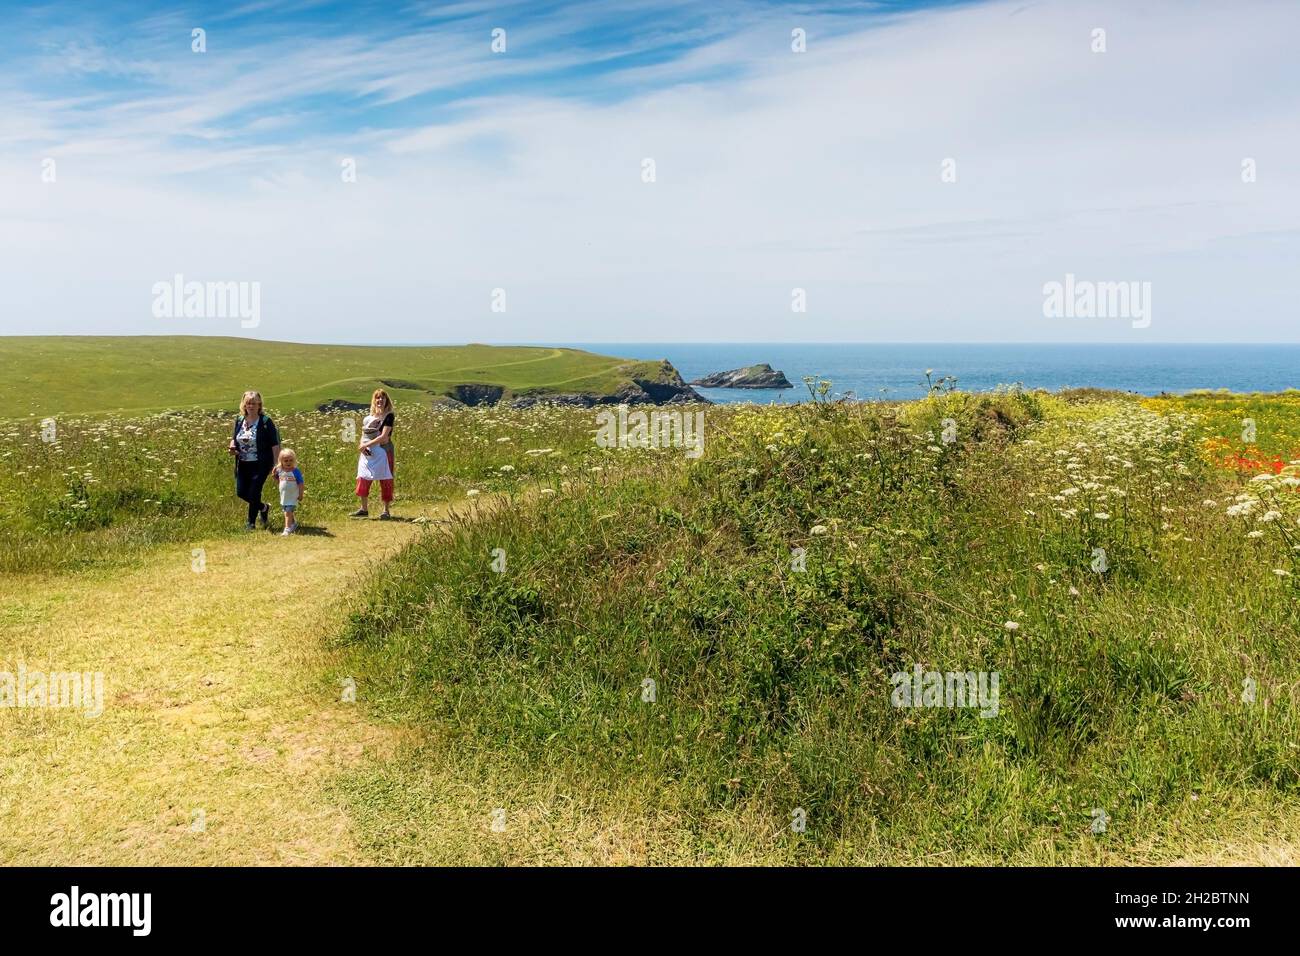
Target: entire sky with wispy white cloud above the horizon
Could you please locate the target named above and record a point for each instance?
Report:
(652, 171)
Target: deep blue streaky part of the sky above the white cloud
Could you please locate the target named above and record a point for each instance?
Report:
(369, 67)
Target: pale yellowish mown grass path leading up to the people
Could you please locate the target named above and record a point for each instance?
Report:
(218, 728)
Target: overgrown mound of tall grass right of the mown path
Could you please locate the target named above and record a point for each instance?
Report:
(974, 551)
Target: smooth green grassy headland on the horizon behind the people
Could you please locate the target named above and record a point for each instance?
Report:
(79, 375)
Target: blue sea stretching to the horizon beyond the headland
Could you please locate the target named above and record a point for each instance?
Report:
(899, 371)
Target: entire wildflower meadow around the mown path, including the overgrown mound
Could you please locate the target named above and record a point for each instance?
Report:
(635, 656)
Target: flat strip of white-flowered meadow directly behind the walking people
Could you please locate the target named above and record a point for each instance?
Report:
(98, 491)
